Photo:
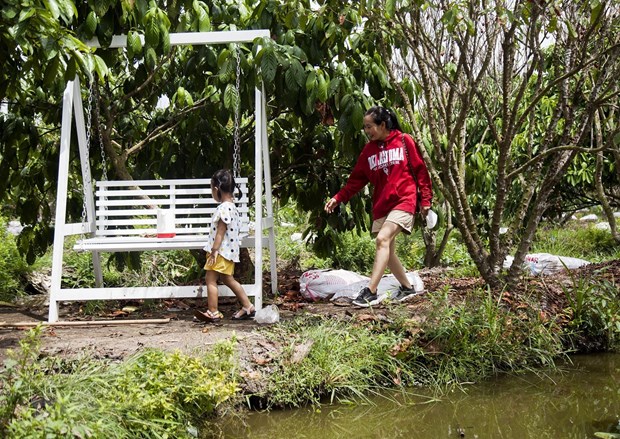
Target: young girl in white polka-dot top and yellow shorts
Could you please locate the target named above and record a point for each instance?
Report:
(223, 250)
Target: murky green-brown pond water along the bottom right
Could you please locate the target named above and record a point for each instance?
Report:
(576, 403)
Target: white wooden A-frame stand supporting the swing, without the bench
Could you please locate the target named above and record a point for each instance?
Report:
(73, 108)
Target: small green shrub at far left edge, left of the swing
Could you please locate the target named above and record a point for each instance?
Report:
(12, 266)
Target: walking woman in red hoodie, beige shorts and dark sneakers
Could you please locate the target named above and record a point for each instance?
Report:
(388, 161)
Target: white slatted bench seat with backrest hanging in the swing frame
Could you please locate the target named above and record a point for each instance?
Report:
(126, 215)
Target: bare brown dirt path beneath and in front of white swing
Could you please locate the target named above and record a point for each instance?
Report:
(117, 340)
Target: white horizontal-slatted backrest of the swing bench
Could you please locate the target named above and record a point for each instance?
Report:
(129, 208)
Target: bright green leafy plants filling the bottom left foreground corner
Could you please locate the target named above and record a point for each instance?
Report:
(153, 395)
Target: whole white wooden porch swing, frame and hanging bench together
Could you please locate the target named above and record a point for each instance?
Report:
(122, 217)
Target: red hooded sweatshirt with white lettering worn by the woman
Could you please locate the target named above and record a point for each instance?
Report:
(384, 164)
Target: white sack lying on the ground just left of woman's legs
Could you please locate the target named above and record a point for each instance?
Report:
(323, 284)
